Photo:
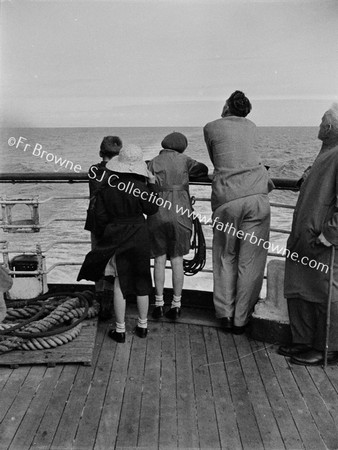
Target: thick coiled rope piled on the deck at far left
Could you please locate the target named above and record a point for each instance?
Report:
(45, 322)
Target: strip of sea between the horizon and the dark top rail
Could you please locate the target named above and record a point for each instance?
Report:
(285, 149)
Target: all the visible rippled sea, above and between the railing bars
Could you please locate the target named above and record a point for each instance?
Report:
(288, 151)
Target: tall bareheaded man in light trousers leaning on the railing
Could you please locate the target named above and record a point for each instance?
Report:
(240, 200)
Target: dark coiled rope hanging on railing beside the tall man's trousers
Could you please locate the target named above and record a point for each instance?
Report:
(196, 264)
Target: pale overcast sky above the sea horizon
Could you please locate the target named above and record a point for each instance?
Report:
(166, 62)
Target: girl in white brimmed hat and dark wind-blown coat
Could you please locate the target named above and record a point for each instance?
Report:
(122, 254)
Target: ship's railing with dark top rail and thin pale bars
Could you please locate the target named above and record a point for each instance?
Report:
(280, 184)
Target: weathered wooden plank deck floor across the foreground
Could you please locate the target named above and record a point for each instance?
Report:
(186, 386)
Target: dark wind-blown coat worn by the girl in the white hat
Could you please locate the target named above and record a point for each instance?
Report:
(123, 232)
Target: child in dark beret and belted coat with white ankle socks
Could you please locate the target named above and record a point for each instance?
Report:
(170, 228)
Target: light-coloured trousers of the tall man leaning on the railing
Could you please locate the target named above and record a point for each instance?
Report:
(240, 246)
